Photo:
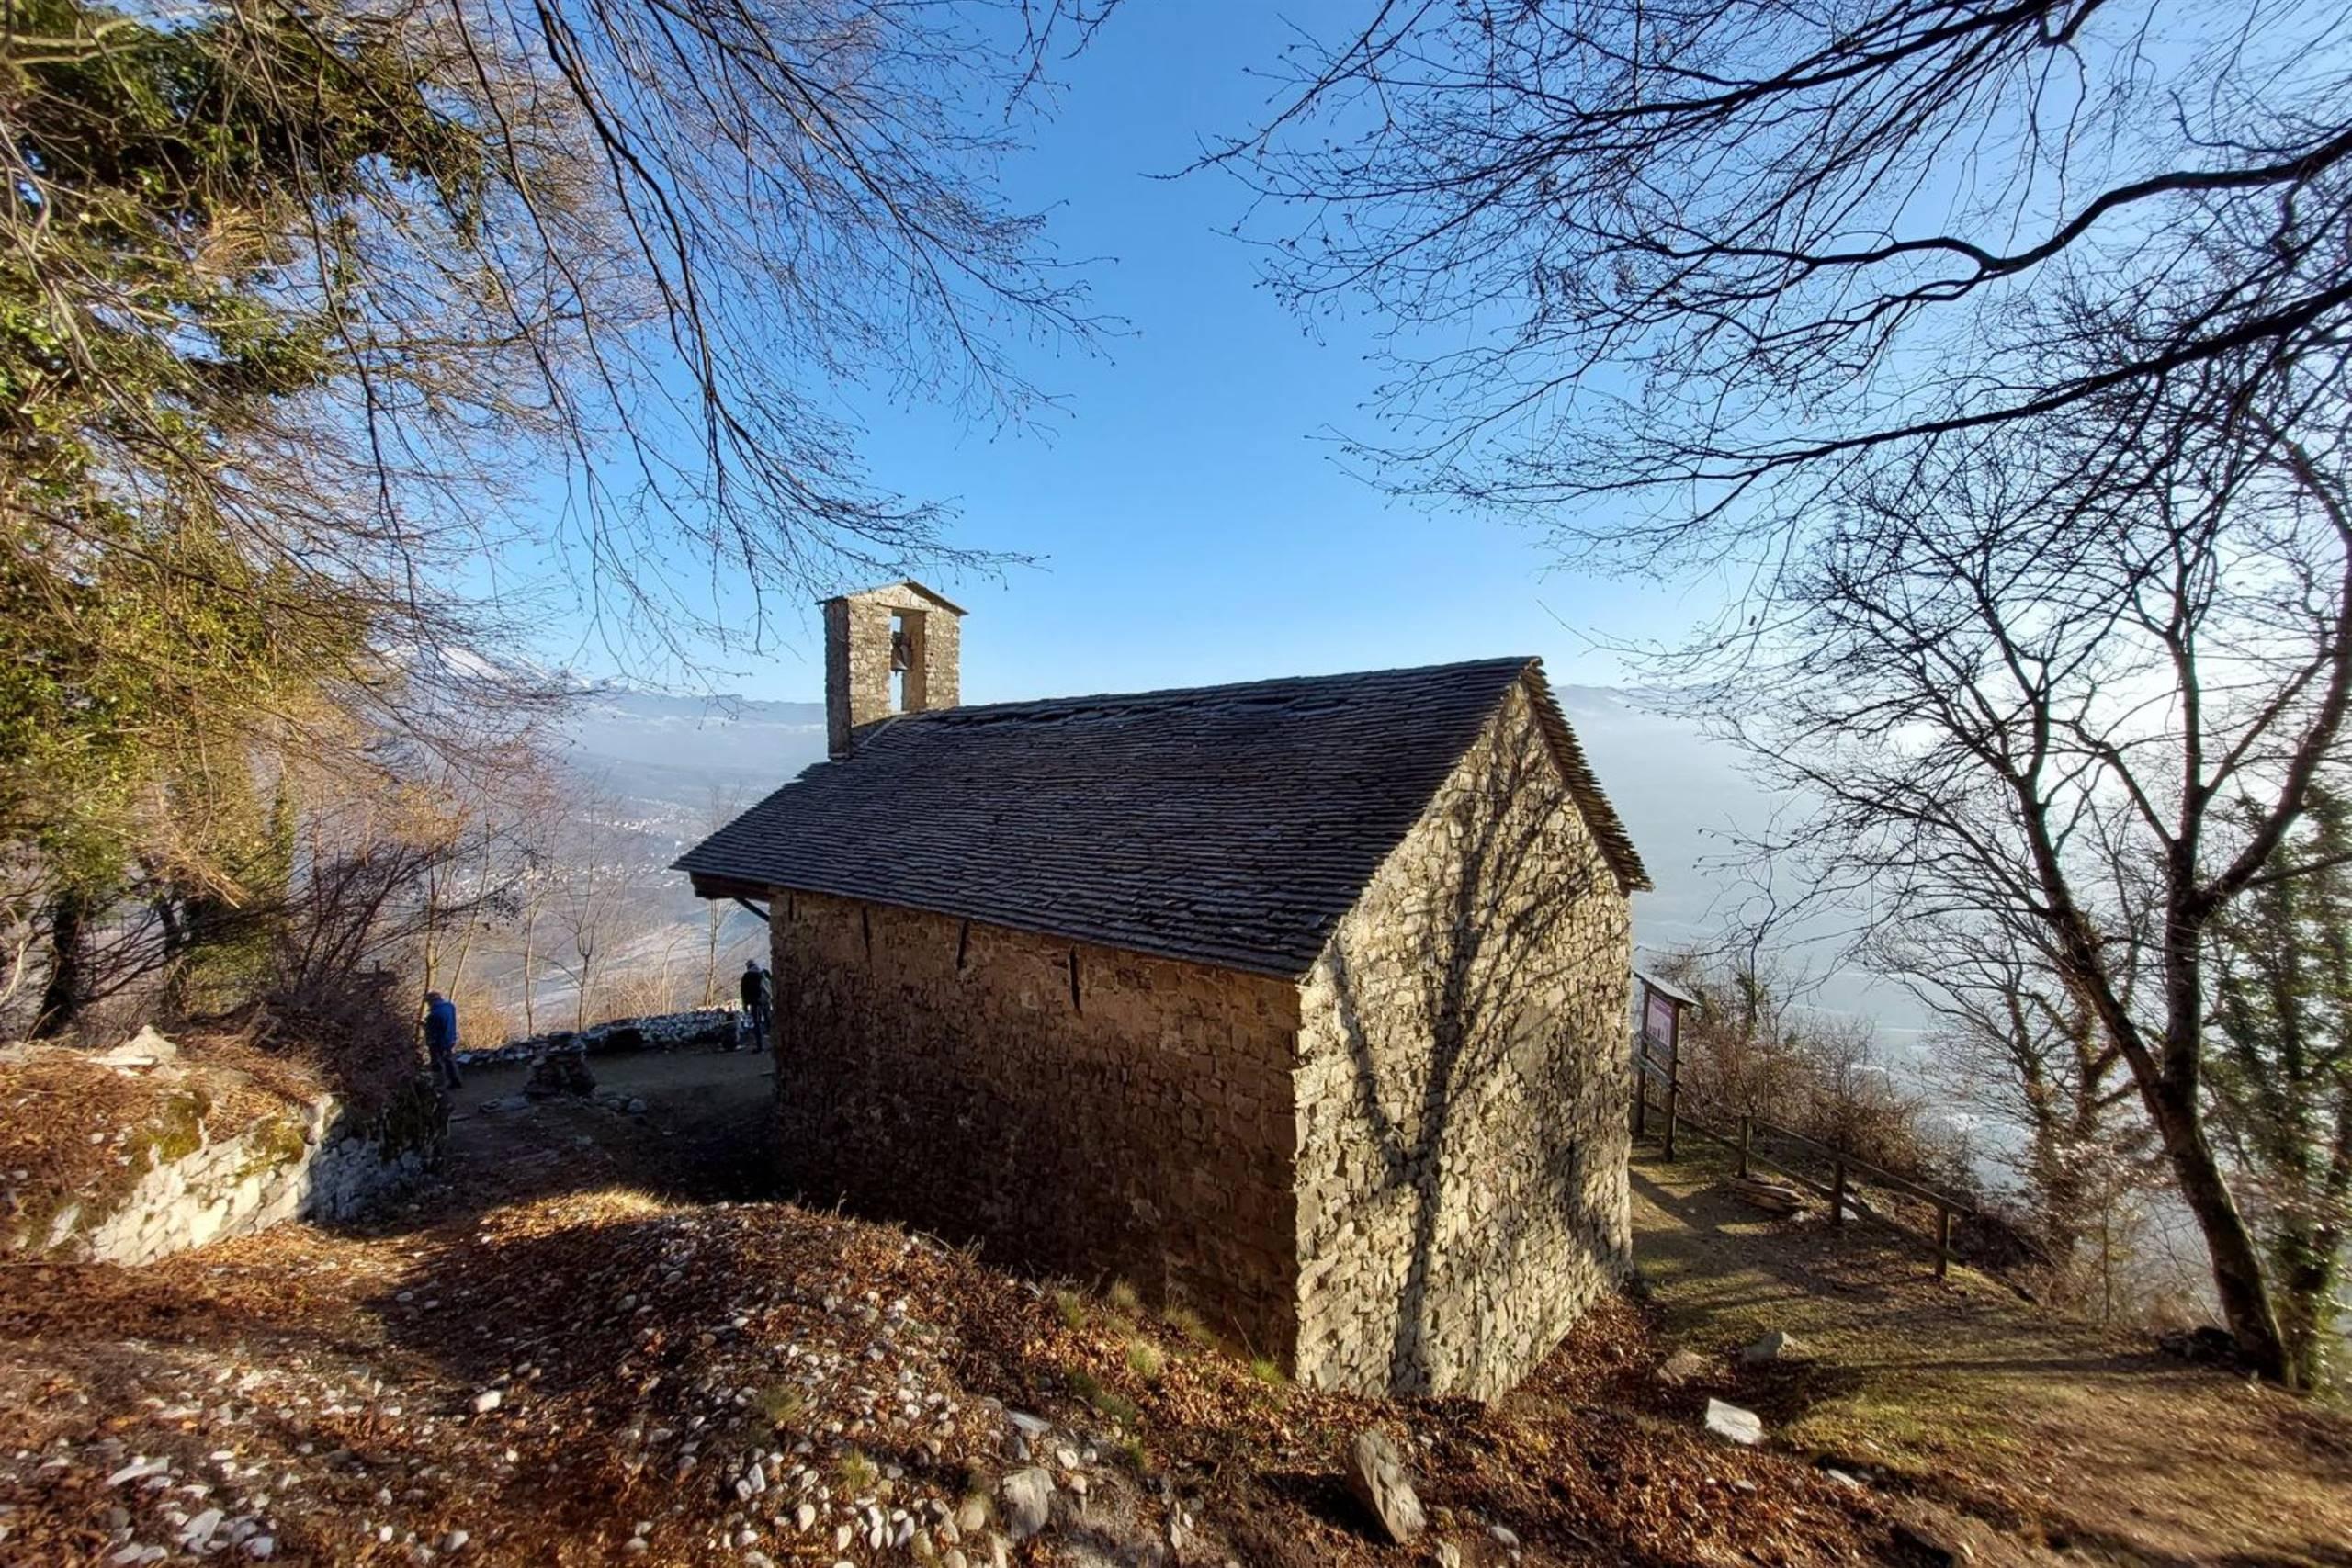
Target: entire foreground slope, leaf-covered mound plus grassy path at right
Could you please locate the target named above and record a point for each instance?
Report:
(589, 1346)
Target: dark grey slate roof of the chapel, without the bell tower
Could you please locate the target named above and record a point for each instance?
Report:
(1220, 824)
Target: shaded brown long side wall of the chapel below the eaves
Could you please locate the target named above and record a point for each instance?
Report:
(1081, 1111)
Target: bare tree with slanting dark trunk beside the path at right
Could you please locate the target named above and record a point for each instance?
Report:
(2083, 683)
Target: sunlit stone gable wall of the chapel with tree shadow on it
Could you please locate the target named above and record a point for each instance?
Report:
(1462, 1092)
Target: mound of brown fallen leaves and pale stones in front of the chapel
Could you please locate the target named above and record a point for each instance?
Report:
(606, 1376)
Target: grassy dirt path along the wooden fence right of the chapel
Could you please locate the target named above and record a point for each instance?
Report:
(1963, 1395)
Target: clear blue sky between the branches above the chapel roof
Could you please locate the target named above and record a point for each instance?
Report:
(1187, 502)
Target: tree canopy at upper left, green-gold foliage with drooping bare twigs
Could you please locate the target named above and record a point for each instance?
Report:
(345, 340)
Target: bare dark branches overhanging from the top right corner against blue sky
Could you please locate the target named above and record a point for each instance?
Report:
(1685, 250)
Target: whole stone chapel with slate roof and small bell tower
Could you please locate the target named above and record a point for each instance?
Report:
(1302, 1000)
